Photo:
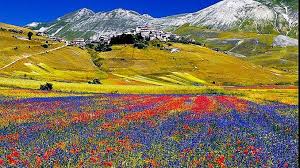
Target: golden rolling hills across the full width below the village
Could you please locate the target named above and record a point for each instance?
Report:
(192, 66)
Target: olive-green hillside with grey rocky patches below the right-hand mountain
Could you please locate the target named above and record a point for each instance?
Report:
(250, 46)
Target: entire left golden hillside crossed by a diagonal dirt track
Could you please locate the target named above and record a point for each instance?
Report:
(57, 62)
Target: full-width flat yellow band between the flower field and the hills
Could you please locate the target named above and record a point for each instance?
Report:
(29, 88)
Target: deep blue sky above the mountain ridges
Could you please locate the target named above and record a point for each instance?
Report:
(21, 12)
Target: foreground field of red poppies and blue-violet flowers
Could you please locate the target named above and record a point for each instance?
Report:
(147, 131)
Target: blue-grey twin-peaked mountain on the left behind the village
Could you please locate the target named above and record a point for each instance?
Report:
(87, 24)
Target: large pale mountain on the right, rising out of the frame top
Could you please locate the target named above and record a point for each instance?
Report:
(248, 15)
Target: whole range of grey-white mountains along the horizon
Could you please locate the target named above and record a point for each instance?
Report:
(262, 16)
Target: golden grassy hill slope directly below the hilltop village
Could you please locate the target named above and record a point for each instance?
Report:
(161, 67)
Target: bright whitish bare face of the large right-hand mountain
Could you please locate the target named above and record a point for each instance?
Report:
(223, 15)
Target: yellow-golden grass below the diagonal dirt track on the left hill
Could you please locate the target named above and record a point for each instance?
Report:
(67, 64)
